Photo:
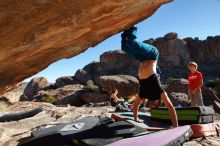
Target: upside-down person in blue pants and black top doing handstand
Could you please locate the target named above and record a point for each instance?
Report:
(150, 87)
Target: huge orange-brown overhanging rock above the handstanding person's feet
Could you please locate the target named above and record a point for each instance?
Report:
(35, 34)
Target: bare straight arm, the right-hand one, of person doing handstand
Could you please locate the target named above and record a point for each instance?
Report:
(171, 109)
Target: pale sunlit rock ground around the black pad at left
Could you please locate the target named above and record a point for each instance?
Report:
(11, 133)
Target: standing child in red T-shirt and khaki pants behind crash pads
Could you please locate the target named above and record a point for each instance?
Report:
(195, 83)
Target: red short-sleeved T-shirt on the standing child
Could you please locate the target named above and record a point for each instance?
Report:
(194, 80)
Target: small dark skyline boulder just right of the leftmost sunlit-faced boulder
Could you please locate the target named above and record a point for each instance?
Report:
(67, 80)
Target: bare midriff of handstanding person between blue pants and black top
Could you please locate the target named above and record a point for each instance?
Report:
(147, 68)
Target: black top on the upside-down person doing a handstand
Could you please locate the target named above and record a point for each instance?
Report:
(150, 88)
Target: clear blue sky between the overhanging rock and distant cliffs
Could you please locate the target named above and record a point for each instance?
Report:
(194, 18)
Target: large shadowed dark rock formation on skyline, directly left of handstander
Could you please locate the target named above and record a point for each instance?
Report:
(112, 63)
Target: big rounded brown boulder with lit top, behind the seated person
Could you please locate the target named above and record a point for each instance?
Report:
(126, 85)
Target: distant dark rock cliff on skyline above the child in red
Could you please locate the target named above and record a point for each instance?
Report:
(178, 52)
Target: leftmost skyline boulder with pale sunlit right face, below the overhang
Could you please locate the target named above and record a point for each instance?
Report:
(34, 86)
